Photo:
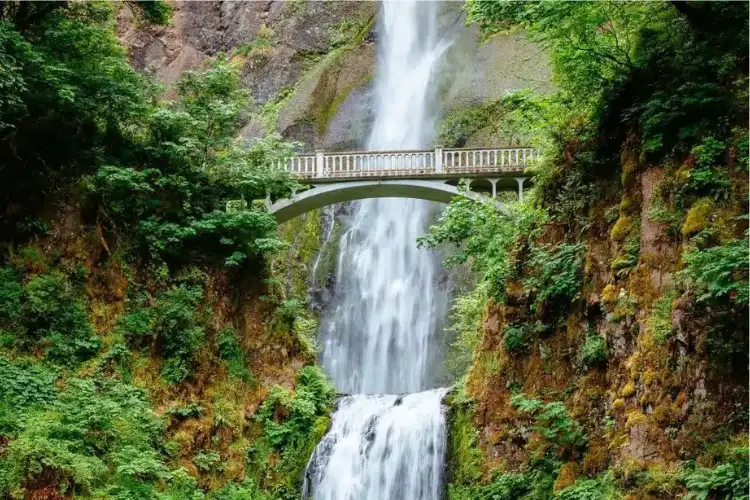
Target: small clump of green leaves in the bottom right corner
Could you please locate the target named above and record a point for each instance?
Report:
(725, 481)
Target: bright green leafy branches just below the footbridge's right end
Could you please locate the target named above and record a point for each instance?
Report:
(484, 236)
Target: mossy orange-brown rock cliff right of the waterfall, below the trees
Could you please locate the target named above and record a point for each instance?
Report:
(627, 381)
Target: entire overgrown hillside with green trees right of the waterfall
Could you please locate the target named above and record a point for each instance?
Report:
(648, 95)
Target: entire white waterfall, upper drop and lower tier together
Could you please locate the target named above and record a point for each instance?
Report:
(377, 338)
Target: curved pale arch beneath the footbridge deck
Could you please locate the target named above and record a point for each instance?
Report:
(327, 194)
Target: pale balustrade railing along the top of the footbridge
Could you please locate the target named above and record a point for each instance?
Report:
(409, 163)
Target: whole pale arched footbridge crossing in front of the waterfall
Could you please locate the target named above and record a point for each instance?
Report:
(424, 174)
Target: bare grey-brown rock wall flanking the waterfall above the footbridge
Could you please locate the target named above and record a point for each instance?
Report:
(310, 64)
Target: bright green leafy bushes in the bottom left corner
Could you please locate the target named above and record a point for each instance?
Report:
(97, 438)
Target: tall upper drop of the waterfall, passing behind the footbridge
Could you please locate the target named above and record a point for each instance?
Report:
(376, 339)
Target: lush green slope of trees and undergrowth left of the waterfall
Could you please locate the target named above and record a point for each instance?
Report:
(123, 375)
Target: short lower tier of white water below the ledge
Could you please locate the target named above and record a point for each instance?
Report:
(381, 447)
